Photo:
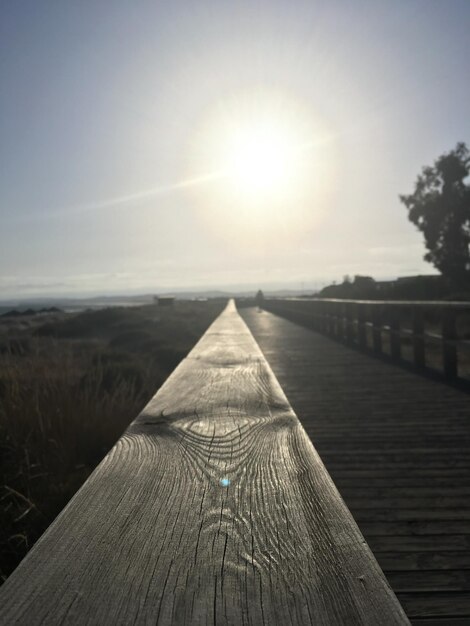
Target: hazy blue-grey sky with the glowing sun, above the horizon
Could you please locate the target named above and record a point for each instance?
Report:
(153, 145)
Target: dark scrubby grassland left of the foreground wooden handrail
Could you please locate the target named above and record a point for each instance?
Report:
(69, 386)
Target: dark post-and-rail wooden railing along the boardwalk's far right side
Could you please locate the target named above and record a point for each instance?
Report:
(434, 335)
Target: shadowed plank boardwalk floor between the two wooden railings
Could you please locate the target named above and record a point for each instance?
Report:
(397, 447)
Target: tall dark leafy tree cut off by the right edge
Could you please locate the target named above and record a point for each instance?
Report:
(440, 208)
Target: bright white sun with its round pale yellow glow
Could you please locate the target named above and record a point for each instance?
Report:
(272, 164)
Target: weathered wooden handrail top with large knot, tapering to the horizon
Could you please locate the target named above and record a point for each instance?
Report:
(155, 537)
